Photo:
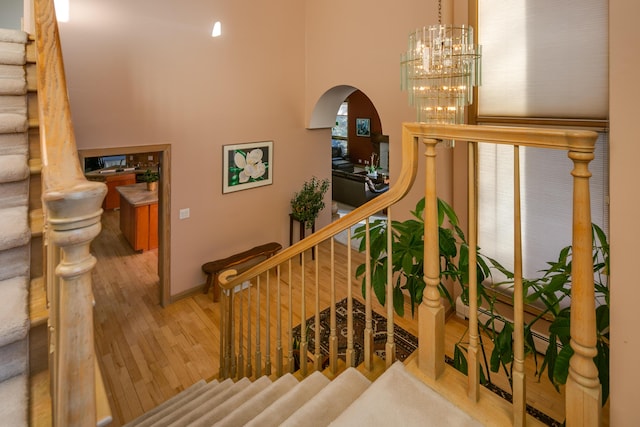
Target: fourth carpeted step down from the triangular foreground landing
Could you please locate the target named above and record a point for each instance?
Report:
(209, 415)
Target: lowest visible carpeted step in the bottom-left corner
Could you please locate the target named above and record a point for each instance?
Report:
(14, 398)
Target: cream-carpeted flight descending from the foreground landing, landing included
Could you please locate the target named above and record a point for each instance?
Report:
(396, 398)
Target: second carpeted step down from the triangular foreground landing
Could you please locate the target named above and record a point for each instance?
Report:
(282, 408)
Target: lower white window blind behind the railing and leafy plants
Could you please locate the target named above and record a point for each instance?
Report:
(546, 202)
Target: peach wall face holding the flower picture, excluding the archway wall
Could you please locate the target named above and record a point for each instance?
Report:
(148, 72)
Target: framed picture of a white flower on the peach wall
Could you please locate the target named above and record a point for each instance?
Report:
(246, 165)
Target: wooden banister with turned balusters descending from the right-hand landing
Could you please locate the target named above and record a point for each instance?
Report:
(290, 270)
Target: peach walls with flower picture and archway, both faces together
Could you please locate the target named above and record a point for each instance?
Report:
(147, 72)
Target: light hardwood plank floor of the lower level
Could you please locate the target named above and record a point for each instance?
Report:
(149, 353)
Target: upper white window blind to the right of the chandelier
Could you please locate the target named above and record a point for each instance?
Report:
(544, 58)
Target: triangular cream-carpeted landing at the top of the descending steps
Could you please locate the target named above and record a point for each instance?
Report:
(399, 398)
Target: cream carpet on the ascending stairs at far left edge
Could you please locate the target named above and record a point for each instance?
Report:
(15, 235)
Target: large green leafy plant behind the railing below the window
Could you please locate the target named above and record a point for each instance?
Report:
(553, 286)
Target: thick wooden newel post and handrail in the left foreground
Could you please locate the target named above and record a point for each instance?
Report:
(72, 218)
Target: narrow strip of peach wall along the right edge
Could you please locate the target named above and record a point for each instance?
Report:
(625, 205)
